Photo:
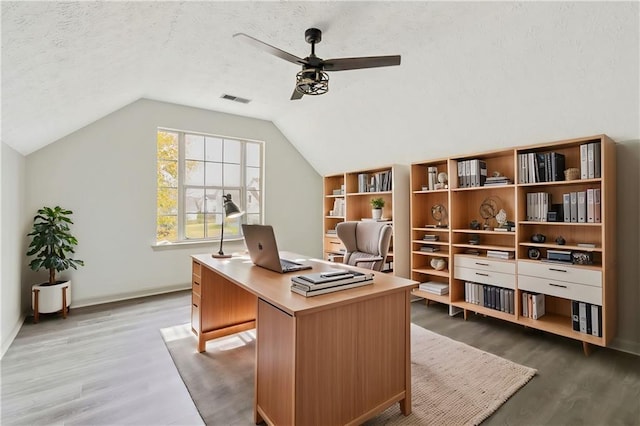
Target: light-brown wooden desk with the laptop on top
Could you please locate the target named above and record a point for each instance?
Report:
(334, 359)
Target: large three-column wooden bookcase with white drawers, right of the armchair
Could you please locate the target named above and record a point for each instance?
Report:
(516, 176)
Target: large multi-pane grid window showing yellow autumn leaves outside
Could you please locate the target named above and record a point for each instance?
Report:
(194, 172)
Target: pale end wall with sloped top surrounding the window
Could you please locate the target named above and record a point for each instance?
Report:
(105, 173)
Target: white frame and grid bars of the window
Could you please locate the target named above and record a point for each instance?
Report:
(182, 187)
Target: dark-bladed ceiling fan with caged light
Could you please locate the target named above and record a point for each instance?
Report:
(313, 80)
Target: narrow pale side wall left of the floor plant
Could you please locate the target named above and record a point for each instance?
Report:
(14, 227)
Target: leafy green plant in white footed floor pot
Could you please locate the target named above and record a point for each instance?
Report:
(51, 244)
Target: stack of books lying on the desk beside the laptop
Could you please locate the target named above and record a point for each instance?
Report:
(328, 282)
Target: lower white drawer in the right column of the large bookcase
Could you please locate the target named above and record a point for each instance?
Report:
(574, 291)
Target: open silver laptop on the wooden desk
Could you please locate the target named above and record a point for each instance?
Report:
(261, 243)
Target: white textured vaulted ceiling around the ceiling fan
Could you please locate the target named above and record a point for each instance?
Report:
(467, 69)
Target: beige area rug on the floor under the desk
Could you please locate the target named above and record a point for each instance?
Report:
(452, 383)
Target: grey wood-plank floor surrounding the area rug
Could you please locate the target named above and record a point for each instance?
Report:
(108, 365)
